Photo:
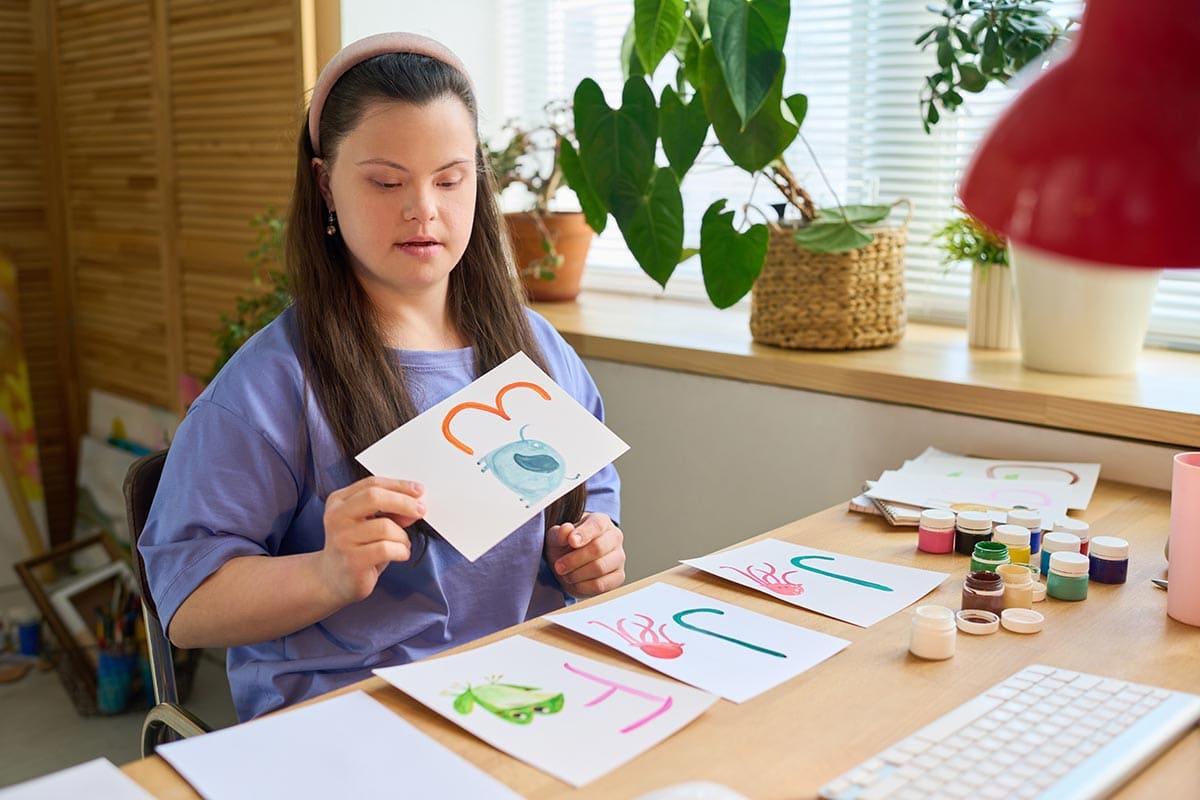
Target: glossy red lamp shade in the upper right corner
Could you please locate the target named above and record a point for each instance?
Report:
(1099, 159)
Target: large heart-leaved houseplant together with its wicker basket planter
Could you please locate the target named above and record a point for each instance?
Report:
(729, 77)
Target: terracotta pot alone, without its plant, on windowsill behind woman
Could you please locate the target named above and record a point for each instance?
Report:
(572, 237)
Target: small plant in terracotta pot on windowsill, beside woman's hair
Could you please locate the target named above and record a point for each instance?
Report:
(550, 246)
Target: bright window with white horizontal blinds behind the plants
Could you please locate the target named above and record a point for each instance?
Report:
(857, 63)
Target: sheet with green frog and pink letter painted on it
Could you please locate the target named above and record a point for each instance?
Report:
(571, 717)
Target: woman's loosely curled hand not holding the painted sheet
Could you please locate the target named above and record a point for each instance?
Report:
(589, 558)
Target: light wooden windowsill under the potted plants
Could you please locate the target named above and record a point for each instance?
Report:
(932, 368)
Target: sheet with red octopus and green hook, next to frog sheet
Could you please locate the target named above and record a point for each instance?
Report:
(713, 646)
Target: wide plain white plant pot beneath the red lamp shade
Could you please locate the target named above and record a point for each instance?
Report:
(1081, 317)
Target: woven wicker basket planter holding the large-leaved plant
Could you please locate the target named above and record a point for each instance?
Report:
(831, 302)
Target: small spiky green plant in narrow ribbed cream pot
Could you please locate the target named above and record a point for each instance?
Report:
(992, 317)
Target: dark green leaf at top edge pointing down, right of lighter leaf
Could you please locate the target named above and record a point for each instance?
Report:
(748, 40)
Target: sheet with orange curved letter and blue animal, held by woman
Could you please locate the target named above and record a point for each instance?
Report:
(495, 454)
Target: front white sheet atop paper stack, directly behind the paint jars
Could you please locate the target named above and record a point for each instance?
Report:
(992, 497)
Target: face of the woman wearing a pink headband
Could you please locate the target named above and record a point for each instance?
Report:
(404, 189)
